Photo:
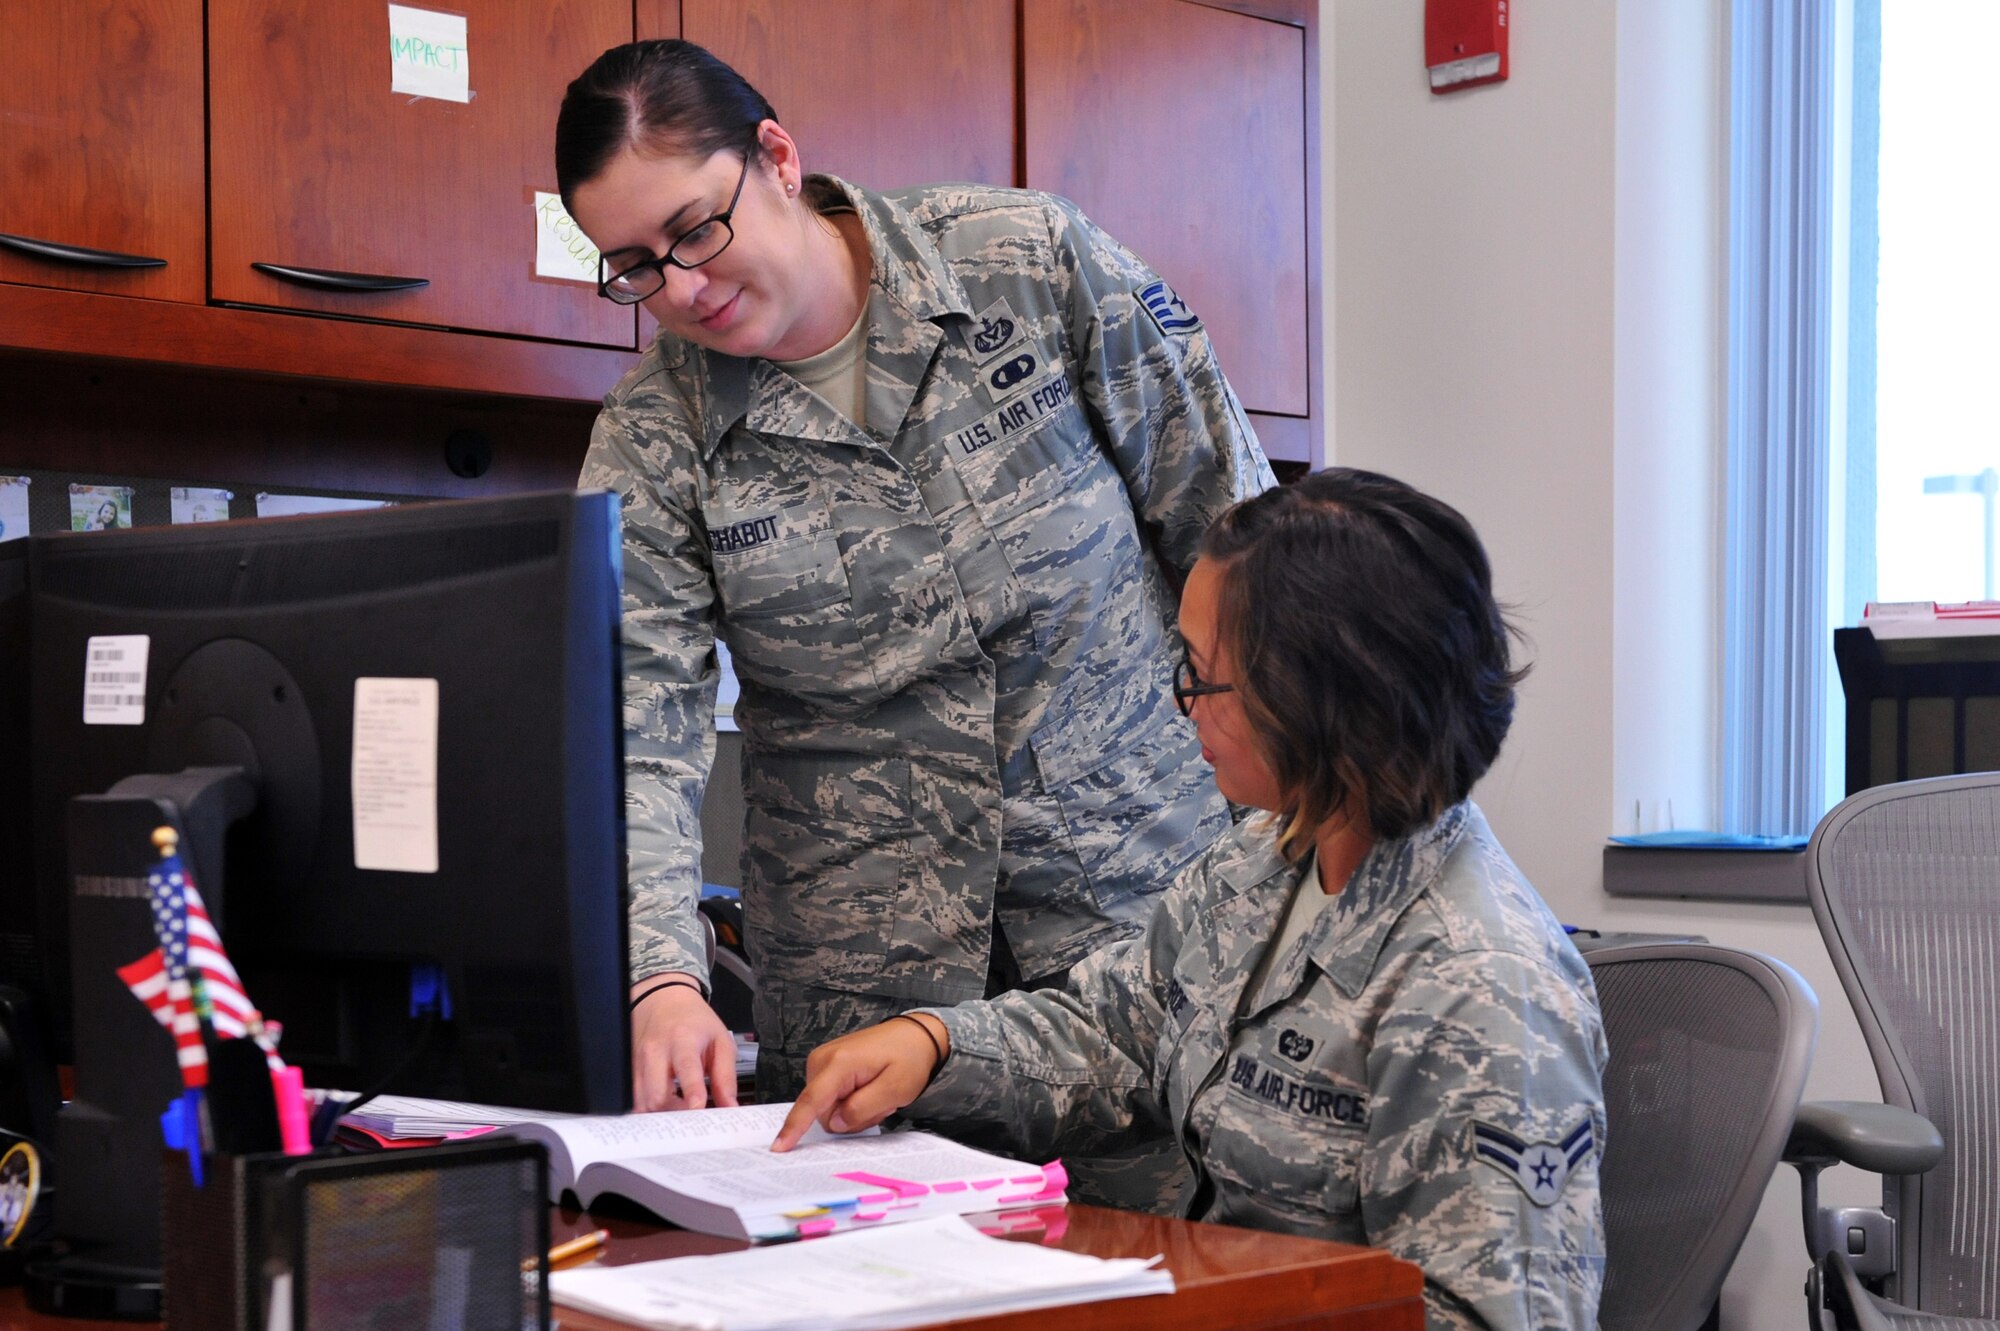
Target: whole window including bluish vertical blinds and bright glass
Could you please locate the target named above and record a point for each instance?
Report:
(1863, 453)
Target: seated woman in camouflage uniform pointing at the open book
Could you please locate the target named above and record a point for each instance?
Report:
(1355, 1014)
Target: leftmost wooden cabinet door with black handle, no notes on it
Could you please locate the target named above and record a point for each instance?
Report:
(101, 143)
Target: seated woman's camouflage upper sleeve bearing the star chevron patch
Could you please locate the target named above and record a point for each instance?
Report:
(1503, 1042)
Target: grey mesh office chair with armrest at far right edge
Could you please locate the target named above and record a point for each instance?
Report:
(1905, 886)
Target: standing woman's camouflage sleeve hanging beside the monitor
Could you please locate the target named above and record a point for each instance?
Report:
(669, 692)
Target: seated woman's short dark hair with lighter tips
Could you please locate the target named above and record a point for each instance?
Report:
(1371, 655)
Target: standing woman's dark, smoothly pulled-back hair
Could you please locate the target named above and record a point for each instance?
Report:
(665, 97)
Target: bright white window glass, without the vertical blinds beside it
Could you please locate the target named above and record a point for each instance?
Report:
(1927, 337)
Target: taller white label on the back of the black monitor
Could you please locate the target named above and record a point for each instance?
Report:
(397, 776)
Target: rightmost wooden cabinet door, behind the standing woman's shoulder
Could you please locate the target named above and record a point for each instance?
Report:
(1183, 131)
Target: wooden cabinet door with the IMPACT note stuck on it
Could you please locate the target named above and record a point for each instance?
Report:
(315, 163)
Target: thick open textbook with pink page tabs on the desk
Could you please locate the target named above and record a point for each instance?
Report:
(713, 1170)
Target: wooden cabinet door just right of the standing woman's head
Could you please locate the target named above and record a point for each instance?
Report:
(883, 93)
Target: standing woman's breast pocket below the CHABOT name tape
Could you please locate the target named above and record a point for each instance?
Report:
(789, 621)
